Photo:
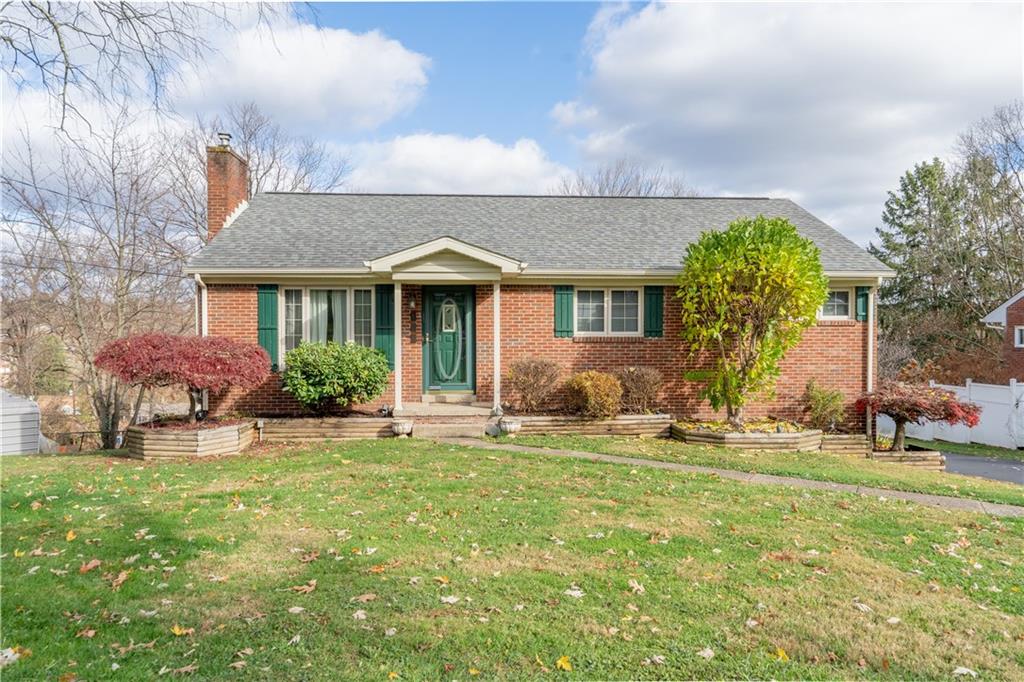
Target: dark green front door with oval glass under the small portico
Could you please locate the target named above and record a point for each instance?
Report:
(449, 353)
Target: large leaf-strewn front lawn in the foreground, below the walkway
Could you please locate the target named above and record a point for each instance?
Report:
(216, 547)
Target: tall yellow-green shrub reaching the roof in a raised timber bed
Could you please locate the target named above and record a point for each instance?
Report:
(747, 295)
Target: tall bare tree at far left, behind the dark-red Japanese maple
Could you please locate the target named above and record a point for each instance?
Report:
(95, 227)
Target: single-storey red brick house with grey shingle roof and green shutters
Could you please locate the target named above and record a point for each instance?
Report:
(455, 288)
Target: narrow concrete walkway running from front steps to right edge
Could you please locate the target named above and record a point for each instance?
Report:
(940, 501)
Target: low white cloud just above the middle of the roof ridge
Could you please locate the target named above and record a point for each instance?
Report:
(435, 163)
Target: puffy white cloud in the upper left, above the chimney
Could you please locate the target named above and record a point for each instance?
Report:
(309, 78)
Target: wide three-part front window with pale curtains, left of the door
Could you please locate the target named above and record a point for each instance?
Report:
(320, 316)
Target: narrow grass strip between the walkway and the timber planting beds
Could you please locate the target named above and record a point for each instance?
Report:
(818, 466)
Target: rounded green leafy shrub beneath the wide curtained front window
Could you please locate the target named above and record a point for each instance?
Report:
(322, 374)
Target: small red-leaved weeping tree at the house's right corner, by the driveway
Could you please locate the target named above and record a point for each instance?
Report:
(918, 403)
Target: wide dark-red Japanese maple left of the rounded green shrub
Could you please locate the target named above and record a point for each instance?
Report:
(199, 363)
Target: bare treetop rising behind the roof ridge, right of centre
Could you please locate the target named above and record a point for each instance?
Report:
(625, 178)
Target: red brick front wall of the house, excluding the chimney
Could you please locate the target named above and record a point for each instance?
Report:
(832, 353)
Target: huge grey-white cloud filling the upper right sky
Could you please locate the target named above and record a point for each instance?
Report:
(834, 102)
